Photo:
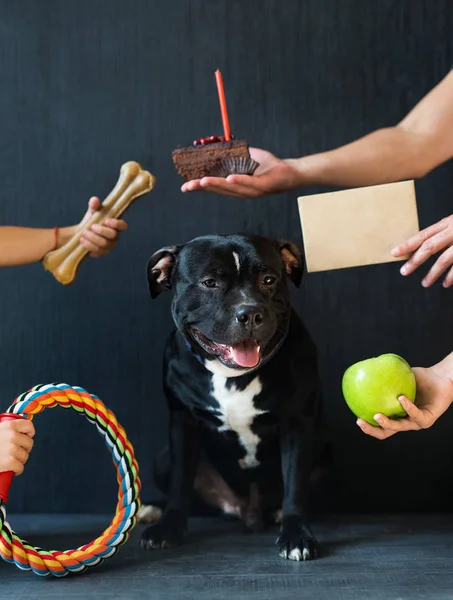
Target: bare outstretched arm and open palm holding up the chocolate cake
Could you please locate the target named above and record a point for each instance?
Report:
(409, 150)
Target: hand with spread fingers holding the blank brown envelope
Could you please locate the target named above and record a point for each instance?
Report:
(426, 243)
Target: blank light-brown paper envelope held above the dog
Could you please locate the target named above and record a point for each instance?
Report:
(357, 227)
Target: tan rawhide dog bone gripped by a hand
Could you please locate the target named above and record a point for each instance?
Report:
(132, 183)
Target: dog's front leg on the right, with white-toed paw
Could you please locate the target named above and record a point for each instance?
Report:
(296, 540)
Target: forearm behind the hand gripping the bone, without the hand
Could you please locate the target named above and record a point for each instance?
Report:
(23, 245)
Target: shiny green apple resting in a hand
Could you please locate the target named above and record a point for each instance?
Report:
(374, 385)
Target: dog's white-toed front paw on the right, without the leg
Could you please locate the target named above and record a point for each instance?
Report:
(296, 540)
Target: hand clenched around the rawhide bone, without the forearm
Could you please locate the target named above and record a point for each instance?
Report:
(100, 239)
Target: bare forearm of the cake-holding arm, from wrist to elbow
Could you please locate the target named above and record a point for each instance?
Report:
(383, 156)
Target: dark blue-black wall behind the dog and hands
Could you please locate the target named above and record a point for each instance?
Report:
(88, 85)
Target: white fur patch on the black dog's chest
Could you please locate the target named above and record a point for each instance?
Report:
(237, 413)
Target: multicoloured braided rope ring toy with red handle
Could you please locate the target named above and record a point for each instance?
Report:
(59, 563)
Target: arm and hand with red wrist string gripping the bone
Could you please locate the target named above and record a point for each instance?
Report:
(23, 245)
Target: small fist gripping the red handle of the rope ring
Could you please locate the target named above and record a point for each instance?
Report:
(16, 442)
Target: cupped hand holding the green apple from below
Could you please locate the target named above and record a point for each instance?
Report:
(434, 396)
